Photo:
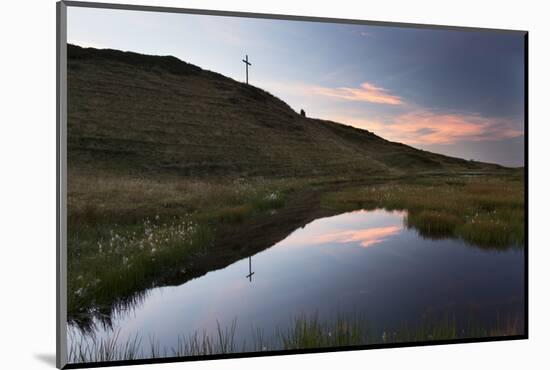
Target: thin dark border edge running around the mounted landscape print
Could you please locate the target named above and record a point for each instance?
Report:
(61, 191)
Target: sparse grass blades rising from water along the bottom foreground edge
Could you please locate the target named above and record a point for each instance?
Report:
(303, 332)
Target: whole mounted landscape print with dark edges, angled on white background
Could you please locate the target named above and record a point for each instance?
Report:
(234, 184)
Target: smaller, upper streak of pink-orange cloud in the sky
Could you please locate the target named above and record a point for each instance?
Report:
(367, 92)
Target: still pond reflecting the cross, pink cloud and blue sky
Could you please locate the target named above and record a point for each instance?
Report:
(362, 262)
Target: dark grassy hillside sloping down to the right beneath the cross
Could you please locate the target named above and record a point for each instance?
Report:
(142, 114)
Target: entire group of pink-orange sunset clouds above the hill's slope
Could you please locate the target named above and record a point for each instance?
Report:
(415, 125)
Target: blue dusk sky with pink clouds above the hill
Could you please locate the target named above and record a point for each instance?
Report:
(458, 93)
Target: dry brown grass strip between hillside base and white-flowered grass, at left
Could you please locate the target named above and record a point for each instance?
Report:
(107, 198)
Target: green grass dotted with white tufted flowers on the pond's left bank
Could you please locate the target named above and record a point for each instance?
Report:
(110, 268)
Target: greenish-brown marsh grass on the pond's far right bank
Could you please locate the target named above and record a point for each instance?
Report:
(486, 211)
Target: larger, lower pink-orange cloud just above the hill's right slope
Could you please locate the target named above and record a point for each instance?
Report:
(427, 127)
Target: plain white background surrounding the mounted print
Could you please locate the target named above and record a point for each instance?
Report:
(27, 180)
